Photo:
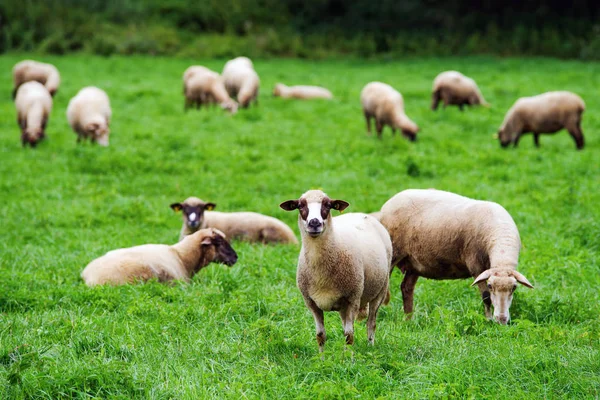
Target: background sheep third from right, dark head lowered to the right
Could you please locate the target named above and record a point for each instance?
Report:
(386, 105)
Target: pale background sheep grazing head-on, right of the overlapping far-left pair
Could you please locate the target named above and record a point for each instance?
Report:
(89, 115)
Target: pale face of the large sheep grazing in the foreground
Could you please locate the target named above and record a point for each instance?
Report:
(501, 284)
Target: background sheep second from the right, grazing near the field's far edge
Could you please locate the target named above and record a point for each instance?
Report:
(453, 88)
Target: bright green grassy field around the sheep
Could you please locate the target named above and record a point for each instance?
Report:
(244, 332)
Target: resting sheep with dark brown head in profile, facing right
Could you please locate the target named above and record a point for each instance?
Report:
(180, 261)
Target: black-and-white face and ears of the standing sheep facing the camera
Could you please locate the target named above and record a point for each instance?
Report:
(314, 211)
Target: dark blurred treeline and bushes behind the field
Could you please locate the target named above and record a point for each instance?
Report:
(304, 28)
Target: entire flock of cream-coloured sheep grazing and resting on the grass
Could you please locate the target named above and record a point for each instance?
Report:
(345, 261)
